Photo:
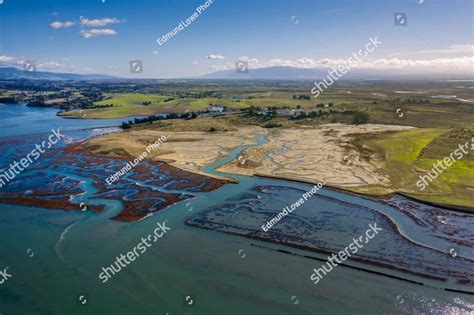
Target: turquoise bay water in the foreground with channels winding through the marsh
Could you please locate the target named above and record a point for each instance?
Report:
(224, 273)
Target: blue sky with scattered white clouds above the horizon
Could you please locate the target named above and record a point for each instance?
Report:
(102, 36)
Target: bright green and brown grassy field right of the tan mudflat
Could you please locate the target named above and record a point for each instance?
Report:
(410, 154)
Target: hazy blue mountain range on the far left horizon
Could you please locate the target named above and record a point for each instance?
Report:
(11, 73)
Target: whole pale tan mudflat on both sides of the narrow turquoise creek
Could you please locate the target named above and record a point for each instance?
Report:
(312, 154)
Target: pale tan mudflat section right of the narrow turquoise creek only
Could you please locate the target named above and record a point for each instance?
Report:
(313, 154)
